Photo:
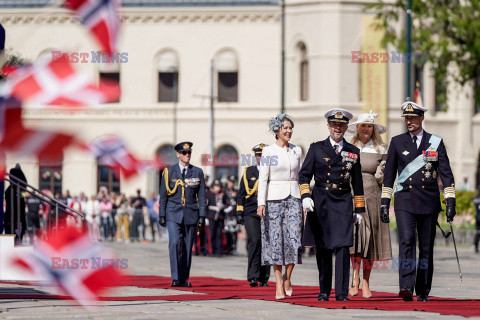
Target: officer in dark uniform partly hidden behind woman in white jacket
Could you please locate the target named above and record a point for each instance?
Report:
(247, 213)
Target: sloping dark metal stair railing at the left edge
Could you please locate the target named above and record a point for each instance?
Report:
(22, 185)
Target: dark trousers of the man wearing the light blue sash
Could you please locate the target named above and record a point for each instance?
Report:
(416, 273)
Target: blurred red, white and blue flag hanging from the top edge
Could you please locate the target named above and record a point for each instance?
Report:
(101, 18)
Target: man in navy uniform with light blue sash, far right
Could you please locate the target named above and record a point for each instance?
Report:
(418, 157)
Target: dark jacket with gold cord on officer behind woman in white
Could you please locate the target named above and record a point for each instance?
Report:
(247, 192)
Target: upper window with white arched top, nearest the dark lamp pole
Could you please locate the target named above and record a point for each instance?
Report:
(226, 65)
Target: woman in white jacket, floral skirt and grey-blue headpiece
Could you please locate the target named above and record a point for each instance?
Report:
(279, 204)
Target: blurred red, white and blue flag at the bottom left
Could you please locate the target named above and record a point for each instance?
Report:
(69, 261)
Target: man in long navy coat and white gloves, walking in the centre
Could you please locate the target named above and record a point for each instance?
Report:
(335, 165)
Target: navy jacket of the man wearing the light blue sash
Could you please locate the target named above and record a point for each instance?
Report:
(419, 193)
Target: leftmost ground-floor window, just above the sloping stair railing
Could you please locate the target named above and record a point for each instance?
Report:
(51, 175)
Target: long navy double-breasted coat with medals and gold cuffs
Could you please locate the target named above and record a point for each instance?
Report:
(331, 223)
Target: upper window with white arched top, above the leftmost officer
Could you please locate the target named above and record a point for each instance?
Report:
(167, 67)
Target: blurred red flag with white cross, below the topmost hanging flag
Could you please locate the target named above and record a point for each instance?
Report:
(57, 83)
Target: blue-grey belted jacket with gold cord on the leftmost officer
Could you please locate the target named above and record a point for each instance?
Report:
(183, 200)
